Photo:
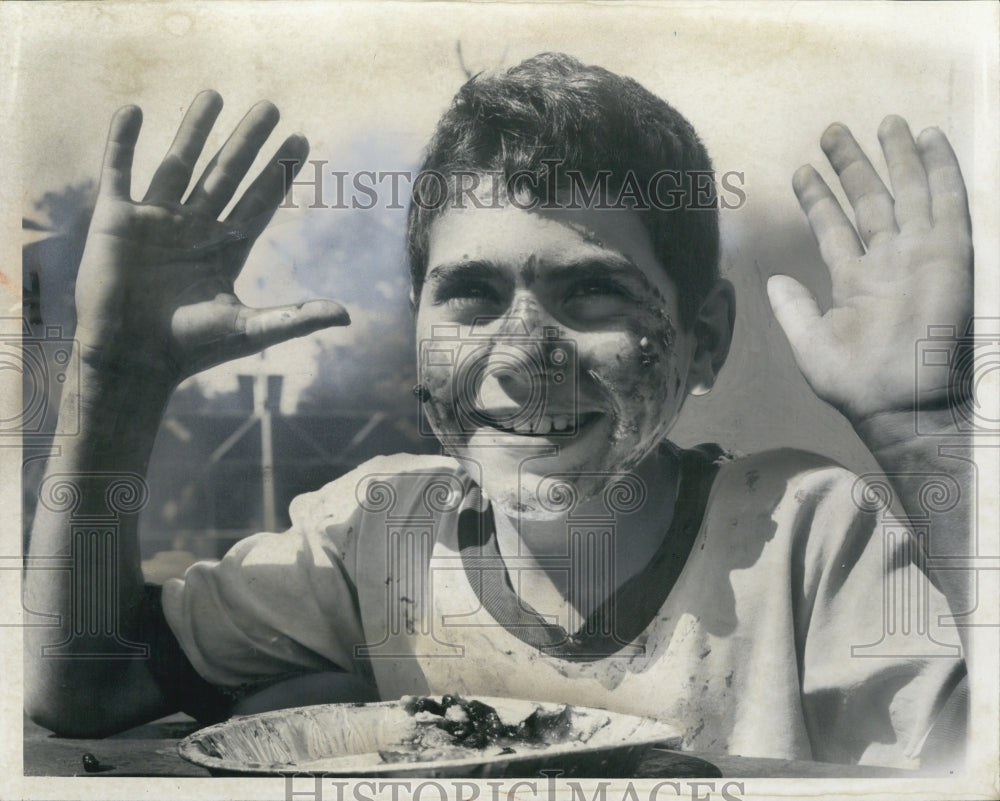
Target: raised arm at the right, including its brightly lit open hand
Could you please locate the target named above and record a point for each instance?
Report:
(906, 265)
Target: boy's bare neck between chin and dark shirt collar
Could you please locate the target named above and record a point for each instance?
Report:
(547, 559)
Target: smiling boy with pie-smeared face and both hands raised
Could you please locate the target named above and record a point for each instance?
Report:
(563, 549)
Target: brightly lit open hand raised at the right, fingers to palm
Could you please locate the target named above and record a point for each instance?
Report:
(906, 265)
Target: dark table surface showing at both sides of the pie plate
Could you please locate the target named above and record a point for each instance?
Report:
(151, 750)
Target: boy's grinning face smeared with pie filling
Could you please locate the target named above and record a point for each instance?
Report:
(549, 343)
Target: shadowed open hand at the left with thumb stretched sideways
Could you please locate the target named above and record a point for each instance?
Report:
(155, 286)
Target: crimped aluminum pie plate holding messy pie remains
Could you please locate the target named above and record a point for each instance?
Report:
(345, 740)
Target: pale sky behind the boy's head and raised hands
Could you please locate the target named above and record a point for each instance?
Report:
(366, 82)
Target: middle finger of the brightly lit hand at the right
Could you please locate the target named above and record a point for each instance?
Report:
(868, 196)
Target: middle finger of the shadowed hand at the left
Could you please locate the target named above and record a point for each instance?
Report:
(224, 172)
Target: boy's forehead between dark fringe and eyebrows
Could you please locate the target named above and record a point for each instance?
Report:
(507, 236)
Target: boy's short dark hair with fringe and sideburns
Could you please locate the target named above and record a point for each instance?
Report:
(553, 108)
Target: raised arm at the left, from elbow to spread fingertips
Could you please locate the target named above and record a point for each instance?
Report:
(155, 304)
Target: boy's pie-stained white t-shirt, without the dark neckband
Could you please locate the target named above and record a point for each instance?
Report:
(798, 628)
